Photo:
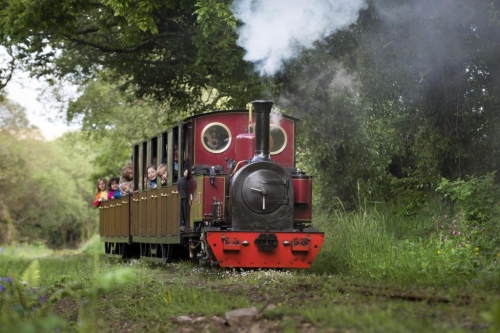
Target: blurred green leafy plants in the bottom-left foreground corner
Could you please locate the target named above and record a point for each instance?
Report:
(27, 308)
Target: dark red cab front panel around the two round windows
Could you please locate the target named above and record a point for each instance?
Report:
(237, 122)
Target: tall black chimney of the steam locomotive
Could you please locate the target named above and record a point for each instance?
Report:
(262, 111)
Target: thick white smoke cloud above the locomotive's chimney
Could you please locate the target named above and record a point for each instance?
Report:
(275, 31)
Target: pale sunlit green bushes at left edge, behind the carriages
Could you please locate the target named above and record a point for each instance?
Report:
(46, 195)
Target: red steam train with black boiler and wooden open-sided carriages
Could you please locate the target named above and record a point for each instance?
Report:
(248, 205)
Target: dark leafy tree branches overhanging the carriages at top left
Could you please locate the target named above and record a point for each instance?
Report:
(180, 52)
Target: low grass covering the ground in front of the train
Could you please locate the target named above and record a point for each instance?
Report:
(108, 295)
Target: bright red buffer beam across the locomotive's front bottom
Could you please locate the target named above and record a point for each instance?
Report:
(236, 254)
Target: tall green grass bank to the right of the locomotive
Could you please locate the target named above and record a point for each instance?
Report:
(359, 245)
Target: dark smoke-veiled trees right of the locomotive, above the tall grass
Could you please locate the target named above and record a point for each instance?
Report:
(422, 102)
